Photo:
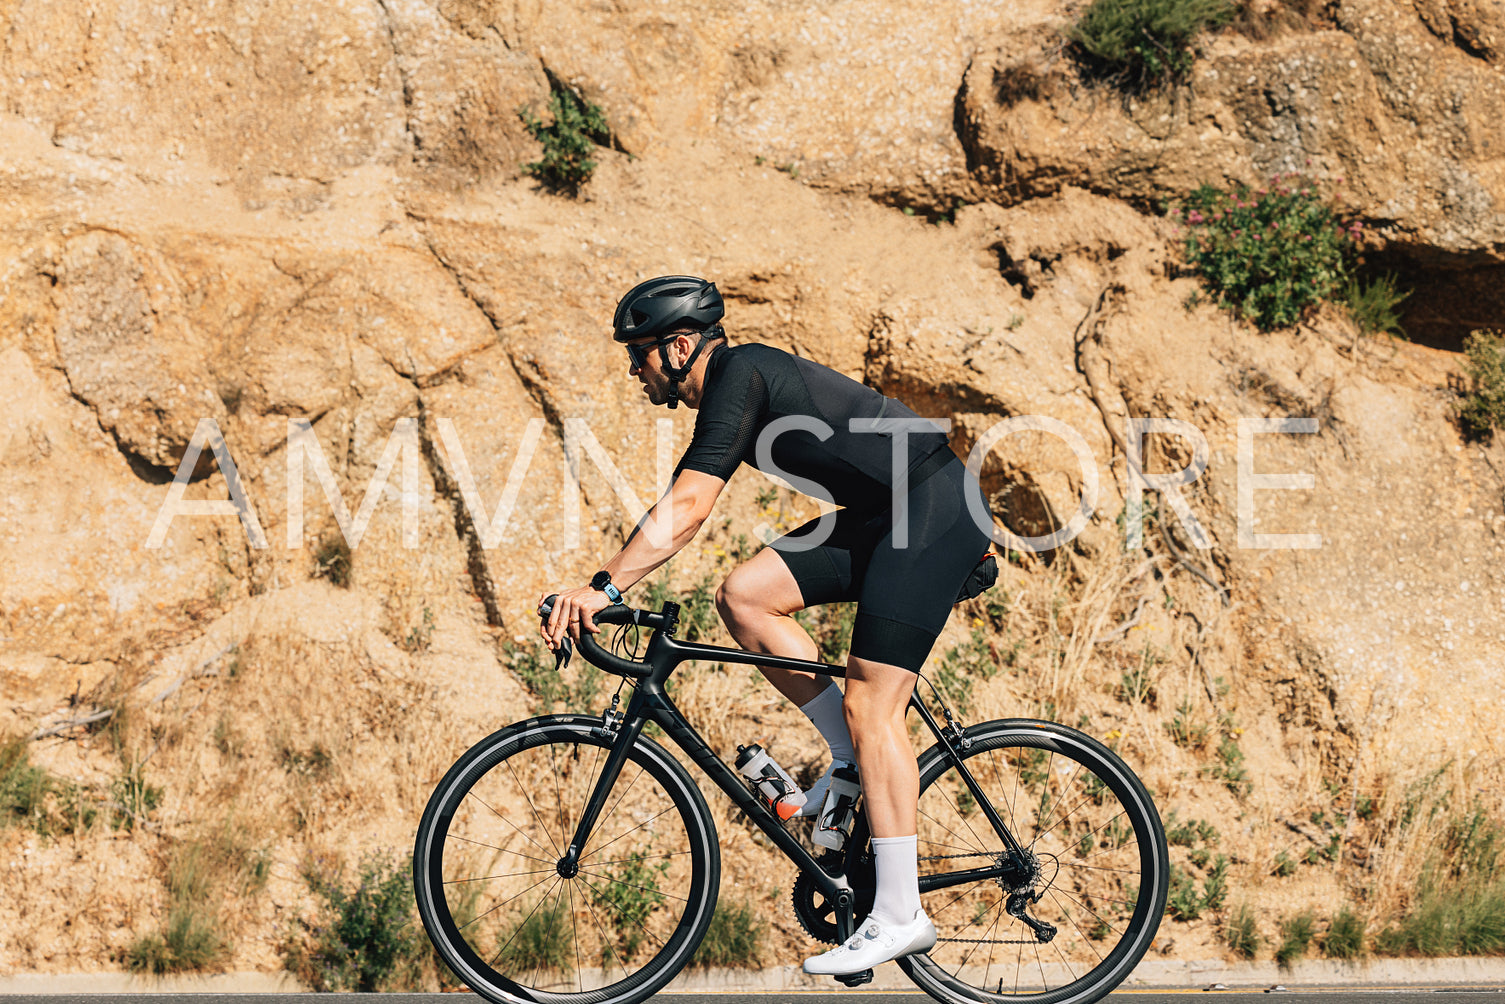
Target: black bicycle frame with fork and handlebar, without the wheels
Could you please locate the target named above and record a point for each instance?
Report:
(649, 702)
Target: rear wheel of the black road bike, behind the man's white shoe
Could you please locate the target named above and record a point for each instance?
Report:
(1102, 868)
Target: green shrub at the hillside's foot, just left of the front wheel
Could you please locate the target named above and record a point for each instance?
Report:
(368, 940)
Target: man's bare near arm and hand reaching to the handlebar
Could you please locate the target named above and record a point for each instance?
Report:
(673, 523)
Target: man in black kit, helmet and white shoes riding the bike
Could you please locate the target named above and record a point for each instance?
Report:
(902, 555)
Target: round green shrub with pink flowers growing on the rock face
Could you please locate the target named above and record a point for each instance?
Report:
(1268, 255)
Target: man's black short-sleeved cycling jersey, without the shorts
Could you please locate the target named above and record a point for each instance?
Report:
(750, 389)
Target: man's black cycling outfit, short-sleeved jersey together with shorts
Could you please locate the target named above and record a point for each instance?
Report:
(902, 565)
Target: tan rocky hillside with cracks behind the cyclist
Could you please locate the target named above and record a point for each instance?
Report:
(267, 214)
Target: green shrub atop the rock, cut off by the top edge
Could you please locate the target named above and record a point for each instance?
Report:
(1145, 43)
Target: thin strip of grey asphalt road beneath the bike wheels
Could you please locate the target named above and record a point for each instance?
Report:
(1337, 996)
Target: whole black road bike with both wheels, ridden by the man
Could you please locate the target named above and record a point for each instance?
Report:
(573, 860)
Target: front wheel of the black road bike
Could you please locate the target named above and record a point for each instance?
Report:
(497, 908)
